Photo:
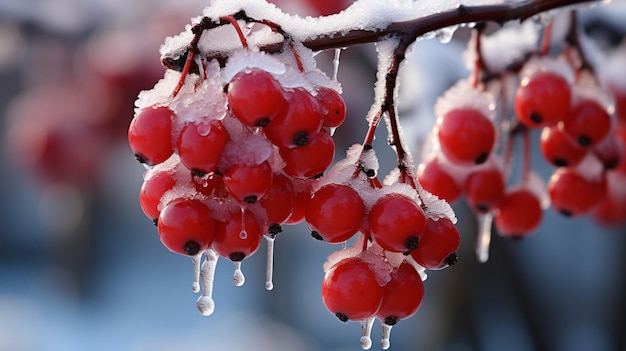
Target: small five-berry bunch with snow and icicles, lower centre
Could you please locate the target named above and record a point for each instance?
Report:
(402, 231)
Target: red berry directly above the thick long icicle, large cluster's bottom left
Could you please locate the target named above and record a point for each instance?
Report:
(186, 227)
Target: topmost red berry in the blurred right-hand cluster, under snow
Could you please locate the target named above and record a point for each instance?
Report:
(543, 99)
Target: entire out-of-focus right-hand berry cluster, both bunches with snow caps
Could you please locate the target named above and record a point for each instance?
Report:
(579, 135)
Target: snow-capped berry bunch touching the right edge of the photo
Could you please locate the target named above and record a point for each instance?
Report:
(579, 136)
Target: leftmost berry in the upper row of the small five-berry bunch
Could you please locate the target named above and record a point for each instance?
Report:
(335, 212)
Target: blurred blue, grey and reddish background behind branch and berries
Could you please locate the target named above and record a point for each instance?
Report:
(81, 267)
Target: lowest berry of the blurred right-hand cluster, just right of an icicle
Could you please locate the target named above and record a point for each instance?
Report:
(518, 214)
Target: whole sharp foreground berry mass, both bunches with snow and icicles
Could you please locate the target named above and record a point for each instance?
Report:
(241, 149)
